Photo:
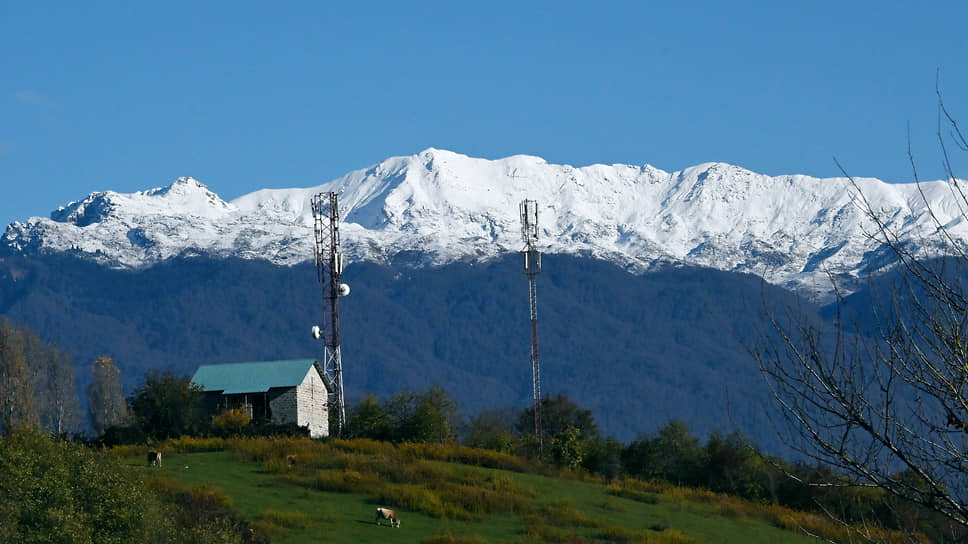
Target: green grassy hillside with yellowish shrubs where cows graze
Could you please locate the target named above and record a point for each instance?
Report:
(298, 505)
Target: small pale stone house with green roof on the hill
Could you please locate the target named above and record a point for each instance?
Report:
(293, 391)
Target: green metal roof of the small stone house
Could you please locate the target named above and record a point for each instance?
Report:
(234, 378)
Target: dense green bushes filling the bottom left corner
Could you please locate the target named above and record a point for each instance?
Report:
(54, 491)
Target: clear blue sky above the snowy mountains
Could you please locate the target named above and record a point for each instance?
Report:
(127, 96)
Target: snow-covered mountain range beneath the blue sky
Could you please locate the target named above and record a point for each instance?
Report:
(438, 207)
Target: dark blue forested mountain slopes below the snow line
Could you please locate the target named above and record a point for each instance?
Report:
(638, 351)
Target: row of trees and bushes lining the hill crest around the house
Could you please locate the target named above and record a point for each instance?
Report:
(37, 388)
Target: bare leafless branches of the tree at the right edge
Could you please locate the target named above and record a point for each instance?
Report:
(883, 398)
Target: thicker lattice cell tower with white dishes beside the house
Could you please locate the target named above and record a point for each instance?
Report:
(329, 268)
